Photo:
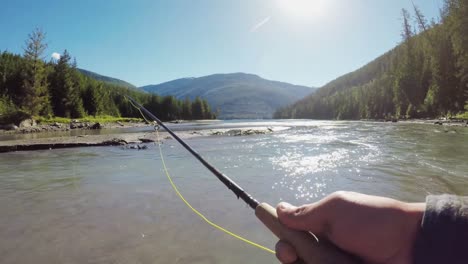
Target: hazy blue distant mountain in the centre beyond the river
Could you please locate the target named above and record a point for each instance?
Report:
(235, 95)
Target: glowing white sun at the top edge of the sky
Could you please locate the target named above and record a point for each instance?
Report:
(306, 10)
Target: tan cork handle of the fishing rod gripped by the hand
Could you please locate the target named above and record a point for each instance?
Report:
(306, 245)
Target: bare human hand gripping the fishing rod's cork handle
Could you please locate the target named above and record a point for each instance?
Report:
(375, 229)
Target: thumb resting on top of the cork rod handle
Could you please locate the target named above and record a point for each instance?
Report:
(309, 217)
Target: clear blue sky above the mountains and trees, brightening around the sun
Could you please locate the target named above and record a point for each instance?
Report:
(308, 42)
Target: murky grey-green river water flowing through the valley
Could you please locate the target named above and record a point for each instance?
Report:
(115, 205)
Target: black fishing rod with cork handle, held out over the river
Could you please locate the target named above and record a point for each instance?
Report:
(307, 246)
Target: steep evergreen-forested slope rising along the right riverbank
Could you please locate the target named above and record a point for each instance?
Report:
(425, 76)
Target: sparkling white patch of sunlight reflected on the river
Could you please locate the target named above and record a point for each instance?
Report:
(313, 156)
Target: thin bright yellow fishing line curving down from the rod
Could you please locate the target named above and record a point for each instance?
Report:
(179, 194)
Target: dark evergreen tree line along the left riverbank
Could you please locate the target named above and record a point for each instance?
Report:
(31, 87)
